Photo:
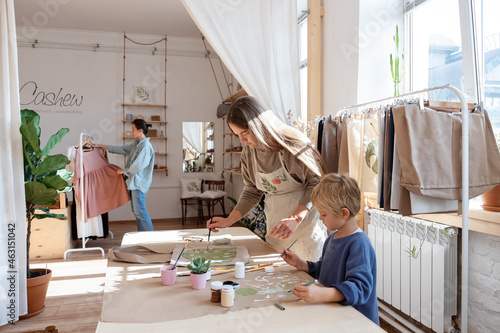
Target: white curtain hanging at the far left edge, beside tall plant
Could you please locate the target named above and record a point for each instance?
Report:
(12, 212)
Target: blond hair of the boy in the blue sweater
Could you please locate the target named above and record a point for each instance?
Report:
(336, 192)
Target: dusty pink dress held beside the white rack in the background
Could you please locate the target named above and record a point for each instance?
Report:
(104, 189)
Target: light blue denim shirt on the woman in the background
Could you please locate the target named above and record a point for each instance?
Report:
(140, 162)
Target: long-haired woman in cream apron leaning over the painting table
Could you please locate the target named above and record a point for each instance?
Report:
(281, 163)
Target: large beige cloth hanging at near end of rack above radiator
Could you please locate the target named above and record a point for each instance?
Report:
(429, 147)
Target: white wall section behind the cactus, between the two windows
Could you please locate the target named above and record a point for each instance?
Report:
(357, 42)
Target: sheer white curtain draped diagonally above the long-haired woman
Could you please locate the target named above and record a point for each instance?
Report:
(258, 42)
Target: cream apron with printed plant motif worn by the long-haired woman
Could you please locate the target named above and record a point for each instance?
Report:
(283, 195)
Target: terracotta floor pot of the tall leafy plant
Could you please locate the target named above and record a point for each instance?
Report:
(37, 291)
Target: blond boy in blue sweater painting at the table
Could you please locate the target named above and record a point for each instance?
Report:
(347, 267)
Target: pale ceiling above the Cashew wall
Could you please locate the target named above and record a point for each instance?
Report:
(151, 17)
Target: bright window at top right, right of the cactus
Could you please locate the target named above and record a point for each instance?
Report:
(435, 49)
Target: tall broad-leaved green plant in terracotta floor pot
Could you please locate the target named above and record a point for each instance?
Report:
(44, 177)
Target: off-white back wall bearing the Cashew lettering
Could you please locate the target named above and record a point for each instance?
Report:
(192, 95)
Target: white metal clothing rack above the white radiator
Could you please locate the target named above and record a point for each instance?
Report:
(465, 187)
